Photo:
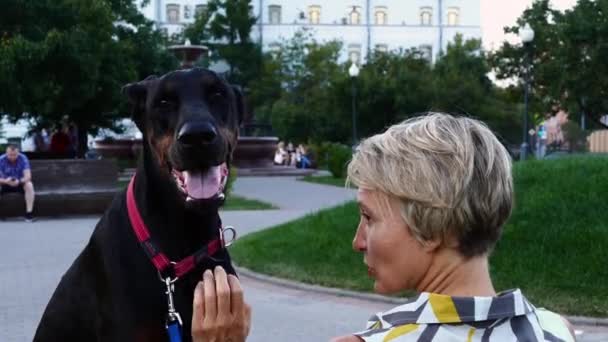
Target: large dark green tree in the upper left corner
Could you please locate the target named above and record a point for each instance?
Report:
(69, 57)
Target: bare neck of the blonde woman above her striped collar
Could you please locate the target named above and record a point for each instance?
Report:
(454, 275)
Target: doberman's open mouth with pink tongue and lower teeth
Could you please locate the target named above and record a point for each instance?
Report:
(202, 185)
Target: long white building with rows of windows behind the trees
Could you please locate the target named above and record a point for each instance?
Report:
(362, 25)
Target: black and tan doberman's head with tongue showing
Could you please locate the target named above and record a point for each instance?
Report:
(189, 119)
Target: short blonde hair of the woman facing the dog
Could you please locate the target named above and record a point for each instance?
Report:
(451, 175)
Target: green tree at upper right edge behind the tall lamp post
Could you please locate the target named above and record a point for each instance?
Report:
(567, 55)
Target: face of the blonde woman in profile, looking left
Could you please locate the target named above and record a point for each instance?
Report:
(395, 259)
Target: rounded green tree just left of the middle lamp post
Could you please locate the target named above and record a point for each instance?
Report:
(299, 90)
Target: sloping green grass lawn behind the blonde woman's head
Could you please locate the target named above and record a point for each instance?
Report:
(554, 247)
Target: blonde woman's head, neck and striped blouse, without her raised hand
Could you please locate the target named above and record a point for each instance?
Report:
(434, 194)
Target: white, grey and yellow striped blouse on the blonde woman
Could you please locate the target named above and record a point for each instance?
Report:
(434, 317)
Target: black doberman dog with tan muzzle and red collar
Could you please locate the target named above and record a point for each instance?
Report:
(112, 291)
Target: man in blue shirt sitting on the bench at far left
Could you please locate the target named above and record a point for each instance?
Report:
(16, 176)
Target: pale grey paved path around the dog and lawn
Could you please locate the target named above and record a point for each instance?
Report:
(34, 256)
